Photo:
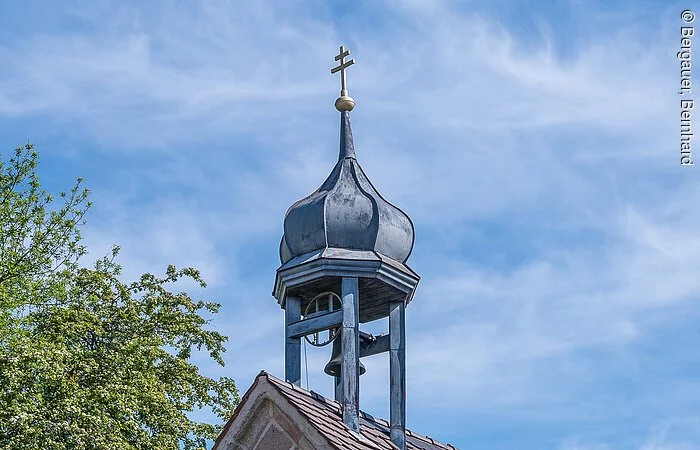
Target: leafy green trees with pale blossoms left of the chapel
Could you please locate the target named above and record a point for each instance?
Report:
(86, 360)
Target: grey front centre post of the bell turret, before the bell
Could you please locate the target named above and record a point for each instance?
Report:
(350, 366)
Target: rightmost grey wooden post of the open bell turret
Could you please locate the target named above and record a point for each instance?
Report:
(397, 374)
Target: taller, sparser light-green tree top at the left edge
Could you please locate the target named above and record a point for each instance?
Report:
(39, 246)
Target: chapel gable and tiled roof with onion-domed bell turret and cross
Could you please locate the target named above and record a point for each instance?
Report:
(343, 253)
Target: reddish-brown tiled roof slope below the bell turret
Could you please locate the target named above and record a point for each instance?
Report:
(326, 417)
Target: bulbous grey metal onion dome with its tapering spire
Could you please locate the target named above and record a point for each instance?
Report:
(346, 212)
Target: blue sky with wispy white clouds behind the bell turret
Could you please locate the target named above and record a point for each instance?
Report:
(534, 145)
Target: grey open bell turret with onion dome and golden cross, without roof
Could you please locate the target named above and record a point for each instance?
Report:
(343, 255)
